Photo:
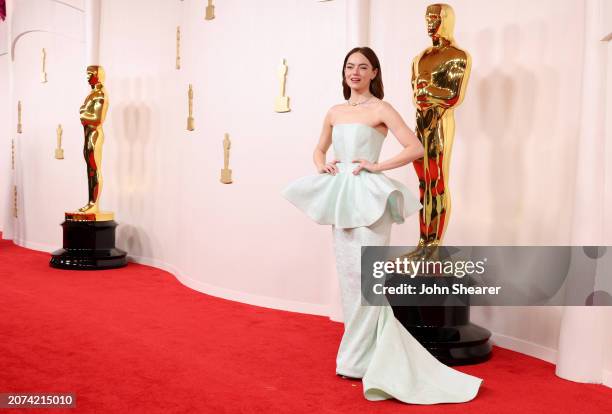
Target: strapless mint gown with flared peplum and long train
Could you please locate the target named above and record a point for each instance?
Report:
(361, 210)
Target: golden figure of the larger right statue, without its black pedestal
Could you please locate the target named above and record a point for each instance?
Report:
(439, 78)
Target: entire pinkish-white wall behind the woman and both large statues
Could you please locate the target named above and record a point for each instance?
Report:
(512, 175)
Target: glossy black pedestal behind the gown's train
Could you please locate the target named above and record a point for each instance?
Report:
(447, 333)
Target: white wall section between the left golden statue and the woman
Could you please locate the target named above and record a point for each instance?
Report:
(240, 240)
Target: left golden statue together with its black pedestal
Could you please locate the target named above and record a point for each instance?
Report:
(89, 234)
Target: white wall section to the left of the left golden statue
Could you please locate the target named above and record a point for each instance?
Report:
(45, 185)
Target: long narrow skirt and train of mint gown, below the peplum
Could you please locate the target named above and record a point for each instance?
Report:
(376, 347)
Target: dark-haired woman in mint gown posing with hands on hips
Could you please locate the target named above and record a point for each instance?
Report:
(361, 204)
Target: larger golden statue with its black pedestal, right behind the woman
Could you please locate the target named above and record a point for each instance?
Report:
(439, 78)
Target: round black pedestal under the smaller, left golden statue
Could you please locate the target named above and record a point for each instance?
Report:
(89, 245)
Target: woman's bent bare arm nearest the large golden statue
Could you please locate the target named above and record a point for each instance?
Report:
(413, 149)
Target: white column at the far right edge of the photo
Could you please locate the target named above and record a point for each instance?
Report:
(583, 329)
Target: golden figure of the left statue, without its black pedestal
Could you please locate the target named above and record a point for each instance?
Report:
(92, 114)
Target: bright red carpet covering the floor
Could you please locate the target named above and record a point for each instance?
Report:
(135, 340)
